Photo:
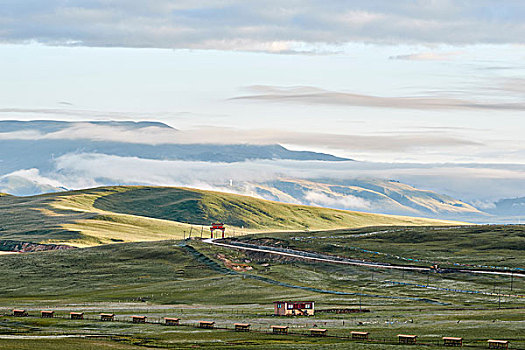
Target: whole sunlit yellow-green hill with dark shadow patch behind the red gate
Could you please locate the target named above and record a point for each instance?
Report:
(137, 213)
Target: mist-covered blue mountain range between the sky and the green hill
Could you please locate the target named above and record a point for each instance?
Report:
(44, 156)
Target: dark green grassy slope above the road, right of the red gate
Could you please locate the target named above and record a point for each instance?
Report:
(494, 245)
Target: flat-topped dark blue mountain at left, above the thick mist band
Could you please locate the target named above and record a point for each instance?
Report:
(18, 150)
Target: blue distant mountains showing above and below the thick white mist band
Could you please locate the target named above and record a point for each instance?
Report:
(27, 146)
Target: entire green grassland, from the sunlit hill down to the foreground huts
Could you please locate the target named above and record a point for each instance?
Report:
(164, 276)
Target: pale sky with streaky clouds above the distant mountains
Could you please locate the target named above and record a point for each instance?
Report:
(392, 82)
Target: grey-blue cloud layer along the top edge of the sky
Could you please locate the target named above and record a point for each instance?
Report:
(269, 26)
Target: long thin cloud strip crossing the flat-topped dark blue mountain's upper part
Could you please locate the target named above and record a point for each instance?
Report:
(155, 135)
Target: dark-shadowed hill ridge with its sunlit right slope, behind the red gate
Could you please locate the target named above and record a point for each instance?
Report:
(202, 207)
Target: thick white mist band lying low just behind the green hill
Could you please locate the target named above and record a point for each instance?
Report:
(468, 182)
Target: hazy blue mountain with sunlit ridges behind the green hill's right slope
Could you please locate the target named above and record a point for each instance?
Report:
(367, 195)
